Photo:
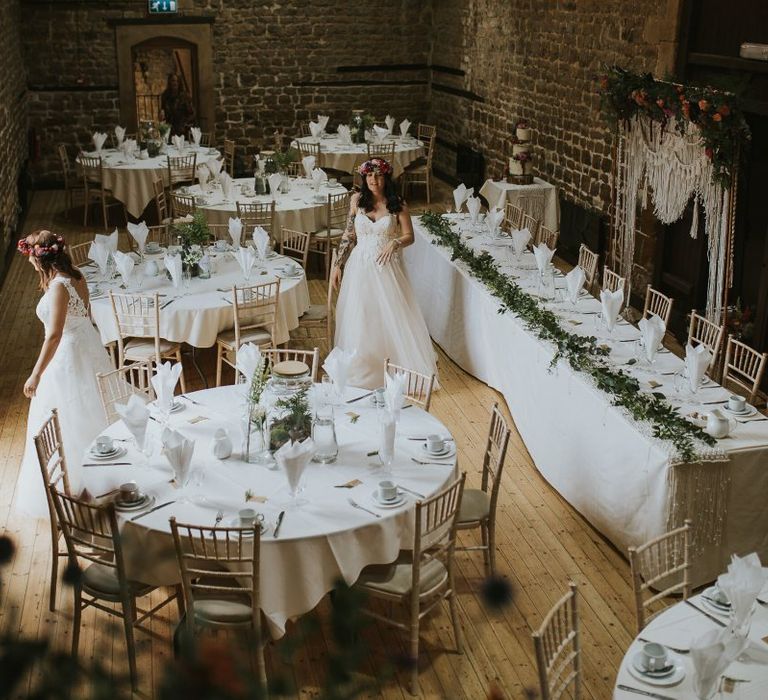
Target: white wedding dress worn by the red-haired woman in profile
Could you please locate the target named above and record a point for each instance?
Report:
(69, 385)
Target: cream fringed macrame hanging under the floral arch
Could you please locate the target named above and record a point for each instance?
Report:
(676, 168)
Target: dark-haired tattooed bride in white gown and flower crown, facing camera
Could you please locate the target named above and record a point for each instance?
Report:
(377, 314)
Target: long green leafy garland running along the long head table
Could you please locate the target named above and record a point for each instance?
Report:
(583, 354)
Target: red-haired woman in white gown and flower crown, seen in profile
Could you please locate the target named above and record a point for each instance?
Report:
(64, 376)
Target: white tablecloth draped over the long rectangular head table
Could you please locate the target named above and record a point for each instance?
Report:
(603, 463)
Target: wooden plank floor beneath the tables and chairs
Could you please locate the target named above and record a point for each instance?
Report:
(542, 543)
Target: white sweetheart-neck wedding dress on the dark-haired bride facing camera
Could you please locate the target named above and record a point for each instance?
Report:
(377, 313)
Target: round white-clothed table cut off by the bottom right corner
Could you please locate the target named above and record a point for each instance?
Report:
(680, 625)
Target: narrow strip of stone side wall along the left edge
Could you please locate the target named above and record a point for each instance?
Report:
(13, 118)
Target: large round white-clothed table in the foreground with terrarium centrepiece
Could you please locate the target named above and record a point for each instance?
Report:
(318, 542)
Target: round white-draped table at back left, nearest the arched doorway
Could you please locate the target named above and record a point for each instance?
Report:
(131, 181)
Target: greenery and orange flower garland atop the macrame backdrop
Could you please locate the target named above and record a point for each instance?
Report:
(717, 115)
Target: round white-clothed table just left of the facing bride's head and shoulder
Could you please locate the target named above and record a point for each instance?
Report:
(300, 209)
